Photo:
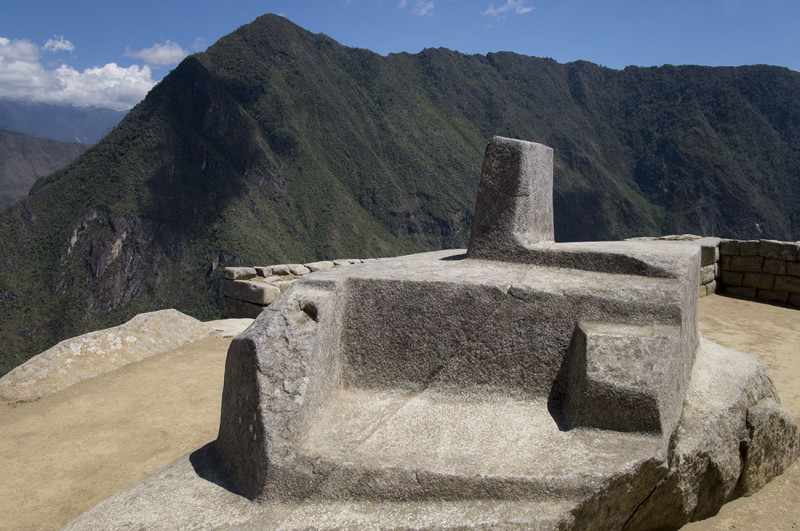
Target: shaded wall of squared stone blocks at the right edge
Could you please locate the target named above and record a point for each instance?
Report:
(766, 270)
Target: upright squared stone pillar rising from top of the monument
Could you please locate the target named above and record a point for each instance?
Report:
(514, 208)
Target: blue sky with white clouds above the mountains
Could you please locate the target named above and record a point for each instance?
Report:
(109, 53)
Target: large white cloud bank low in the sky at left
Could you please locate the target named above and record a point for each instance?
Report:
(22, 76)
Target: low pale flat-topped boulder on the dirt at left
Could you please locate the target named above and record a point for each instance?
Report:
(89, 355)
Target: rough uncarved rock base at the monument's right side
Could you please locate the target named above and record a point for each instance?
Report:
(716, 449)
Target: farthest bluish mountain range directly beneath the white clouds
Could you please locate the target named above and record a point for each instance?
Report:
(85, 125)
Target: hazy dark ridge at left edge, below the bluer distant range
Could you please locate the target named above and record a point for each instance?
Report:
(23, 159)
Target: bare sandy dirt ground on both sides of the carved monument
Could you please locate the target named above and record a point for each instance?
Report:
(62, 454)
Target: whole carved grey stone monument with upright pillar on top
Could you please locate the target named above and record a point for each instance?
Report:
(524, 383)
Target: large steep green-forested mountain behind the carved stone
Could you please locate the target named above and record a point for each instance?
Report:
(278, 145)
